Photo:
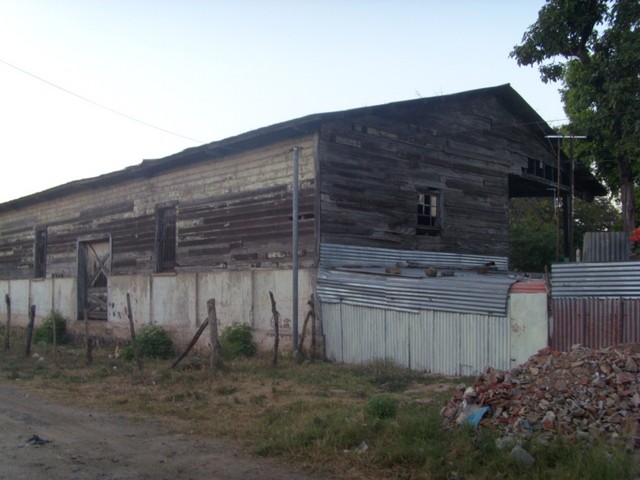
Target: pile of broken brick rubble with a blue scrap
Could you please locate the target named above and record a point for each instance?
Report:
(583, 393)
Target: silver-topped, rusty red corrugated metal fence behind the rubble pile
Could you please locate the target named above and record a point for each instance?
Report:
(595, 304)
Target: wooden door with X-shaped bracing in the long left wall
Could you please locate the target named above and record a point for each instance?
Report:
(94, 268)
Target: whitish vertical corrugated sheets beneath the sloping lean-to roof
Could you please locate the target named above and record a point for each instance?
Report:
(449, 343)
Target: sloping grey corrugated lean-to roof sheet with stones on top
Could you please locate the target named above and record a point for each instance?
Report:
(413, 291)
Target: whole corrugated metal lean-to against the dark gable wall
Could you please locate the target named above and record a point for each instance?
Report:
(453, 325)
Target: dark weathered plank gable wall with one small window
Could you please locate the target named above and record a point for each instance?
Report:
(371, 169)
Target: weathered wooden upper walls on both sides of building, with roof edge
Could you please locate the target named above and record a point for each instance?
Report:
(360, 175)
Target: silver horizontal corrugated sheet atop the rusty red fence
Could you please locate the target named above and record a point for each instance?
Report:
(618, 279)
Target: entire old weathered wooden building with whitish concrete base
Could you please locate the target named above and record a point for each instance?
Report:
(430, 174)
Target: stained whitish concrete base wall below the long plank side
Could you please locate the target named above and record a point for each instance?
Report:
(176, 302)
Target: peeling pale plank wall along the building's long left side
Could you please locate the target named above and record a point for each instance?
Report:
(233, 211)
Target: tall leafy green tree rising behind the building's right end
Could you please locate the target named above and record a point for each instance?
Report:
(592, 47)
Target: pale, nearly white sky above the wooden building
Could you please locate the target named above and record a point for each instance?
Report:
(210, 69)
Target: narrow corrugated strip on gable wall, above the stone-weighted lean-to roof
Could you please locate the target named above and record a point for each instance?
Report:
(332, 255)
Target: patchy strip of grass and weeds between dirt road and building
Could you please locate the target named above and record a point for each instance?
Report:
(332, 419)
